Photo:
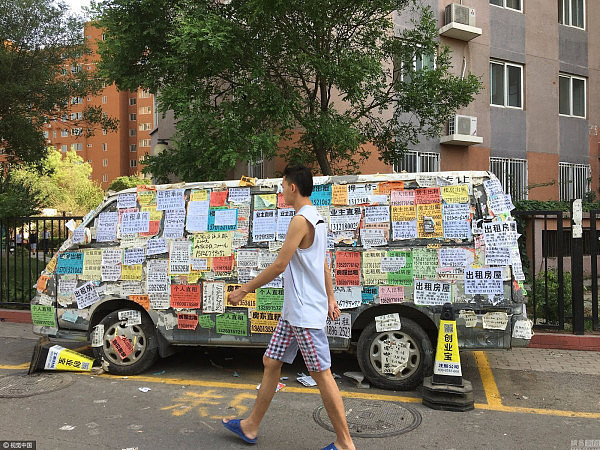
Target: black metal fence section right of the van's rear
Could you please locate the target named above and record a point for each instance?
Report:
(558, 268)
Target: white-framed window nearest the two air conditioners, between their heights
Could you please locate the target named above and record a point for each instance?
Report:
(506, 84)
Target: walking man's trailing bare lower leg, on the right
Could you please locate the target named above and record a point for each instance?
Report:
(334, 405)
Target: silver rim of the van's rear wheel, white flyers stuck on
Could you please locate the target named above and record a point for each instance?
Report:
(399, 351)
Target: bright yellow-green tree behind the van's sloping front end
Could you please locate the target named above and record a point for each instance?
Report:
(65, 183)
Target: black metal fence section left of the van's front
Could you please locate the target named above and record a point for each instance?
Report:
(27, 245)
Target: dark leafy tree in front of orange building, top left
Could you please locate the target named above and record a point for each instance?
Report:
(41, 51)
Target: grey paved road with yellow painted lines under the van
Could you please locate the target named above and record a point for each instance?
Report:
(524, 398)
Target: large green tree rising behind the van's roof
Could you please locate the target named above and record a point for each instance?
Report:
(312, 79)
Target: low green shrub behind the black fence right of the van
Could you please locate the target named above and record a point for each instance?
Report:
(546, 306)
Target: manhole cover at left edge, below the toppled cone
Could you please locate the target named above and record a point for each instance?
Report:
(34, 384)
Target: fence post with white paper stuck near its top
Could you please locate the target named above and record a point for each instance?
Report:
(577, 265)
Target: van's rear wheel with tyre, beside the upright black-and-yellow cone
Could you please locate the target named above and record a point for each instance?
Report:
(415, 353)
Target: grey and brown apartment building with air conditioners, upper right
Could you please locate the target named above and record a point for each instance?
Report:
(535, 121)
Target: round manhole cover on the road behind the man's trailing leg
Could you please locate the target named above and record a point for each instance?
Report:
(373, 418)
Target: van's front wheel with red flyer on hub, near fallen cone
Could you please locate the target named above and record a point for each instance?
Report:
(142, 336)
